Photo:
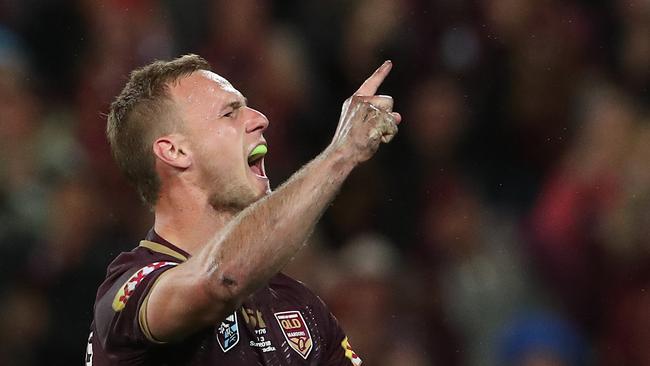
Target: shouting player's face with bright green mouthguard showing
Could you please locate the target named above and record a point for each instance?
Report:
(222, 131)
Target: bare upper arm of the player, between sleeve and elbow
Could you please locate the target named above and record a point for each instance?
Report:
(179, 304)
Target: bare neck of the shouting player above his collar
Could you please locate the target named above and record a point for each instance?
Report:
(189, 223)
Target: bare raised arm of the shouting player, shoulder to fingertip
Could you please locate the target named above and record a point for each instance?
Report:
(267, 234)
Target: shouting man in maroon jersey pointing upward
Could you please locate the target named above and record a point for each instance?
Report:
(203, 288)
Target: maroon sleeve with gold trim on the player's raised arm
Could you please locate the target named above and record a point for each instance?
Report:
(120, 314)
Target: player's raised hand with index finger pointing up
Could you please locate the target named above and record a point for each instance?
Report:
(366, 119)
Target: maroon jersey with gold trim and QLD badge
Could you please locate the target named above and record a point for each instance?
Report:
(282, 323)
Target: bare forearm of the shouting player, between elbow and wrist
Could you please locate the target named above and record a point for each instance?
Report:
(266, 235)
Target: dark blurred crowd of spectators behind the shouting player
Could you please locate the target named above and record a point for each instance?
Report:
(507, 224)
